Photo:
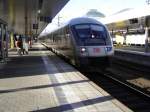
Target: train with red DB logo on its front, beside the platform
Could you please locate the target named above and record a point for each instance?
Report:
(84, 41)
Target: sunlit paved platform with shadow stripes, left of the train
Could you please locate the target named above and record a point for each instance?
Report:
(41, 81)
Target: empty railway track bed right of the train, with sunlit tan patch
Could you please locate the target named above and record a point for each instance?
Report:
(136, 74)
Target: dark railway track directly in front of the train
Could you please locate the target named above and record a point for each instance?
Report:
(131, 97)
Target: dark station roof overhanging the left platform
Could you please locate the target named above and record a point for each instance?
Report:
(20, 15)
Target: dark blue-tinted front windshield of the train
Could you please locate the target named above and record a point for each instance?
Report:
(90, 34)
